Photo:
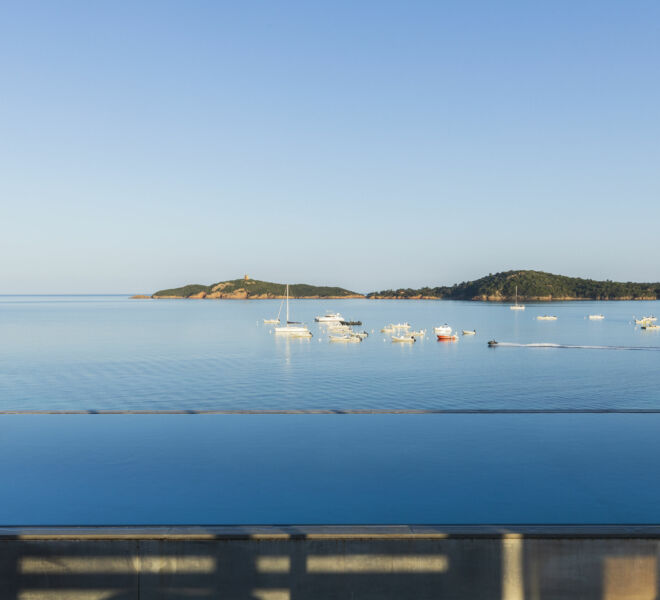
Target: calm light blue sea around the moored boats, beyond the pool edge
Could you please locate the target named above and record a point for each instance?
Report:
(114, 353)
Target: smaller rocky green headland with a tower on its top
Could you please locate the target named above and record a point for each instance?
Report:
(248, 289)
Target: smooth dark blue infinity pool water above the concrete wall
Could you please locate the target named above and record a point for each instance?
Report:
(310, 469)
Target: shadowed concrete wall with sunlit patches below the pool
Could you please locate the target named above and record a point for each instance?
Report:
(290, 563)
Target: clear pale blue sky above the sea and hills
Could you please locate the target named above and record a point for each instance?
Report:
(371, 145)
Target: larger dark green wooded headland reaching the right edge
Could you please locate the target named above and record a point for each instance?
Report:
(532, 286)
